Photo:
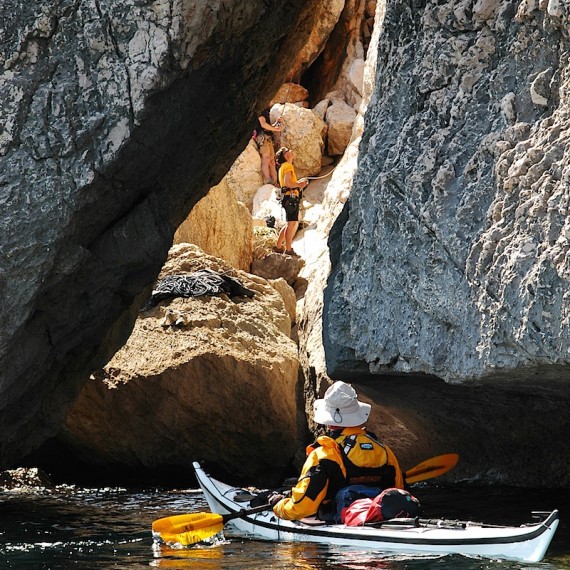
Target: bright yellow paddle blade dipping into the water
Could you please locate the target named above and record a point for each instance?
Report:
(189, 528)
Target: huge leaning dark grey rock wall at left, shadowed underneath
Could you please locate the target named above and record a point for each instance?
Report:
(116, 119)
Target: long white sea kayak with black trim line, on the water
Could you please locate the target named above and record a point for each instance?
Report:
(526, 543)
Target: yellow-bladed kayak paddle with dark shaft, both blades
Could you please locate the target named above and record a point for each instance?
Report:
(194, 527)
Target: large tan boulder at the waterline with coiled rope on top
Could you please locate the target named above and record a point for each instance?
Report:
(208, 378)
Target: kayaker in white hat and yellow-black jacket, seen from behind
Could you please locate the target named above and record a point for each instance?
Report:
(347, 456)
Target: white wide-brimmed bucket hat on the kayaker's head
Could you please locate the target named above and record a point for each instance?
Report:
(340, 407)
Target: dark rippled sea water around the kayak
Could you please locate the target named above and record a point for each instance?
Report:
(70, 527)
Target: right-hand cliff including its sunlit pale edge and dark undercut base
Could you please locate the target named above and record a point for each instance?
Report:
(441, 256)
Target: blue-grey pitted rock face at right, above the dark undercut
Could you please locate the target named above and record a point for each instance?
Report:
(453, 254)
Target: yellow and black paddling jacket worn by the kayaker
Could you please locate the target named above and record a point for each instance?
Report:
(352, 457)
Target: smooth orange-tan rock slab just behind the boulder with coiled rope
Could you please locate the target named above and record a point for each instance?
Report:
(221, 226)
